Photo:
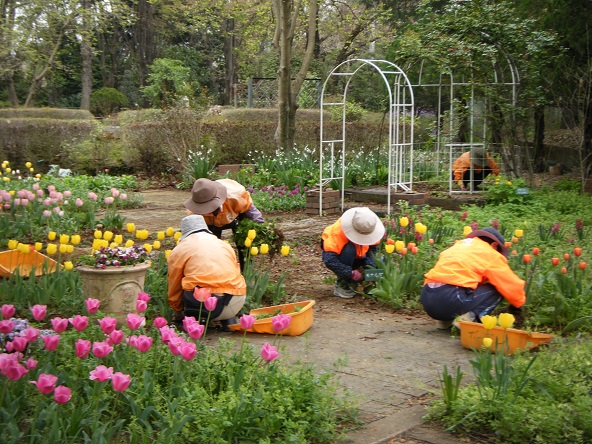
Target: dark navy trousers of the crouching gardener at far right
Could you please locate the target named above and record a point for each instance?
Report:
(448, 301)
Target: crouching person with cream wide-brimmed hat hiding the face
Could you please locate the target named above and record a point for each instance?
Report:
(348, 246)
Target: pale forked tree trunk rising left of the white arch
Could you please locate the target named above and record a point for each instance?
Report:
(286, 15)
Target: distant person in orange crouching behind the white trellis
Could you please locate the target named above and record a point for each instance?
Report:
(473, 167)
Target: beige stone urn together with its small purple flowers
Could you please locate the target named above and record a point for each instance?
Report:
(115, 276)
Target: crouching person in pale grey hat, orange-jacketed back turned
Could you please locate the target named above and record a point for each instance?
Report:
(201, 260)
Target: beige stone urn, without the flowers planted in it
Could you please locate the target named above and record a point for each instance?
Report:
(116, 288)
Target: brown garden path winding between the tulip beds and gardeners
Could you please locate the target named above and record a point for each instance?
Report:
(390, 361)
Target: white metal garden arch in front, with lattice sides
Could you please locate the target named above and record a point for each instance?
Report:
(401, 124)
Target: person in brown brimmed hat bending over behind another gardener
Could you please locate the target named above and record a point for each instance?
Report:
(222, 203)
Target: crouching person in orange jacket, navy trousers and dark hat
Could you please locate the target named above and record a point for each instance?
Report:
(470, 279)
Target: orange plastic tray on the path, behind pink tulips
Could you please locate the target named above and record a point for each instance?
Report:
(301, 320)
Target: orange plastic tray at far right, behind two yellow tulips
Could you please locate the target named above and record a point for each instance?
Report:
(504, 340)
